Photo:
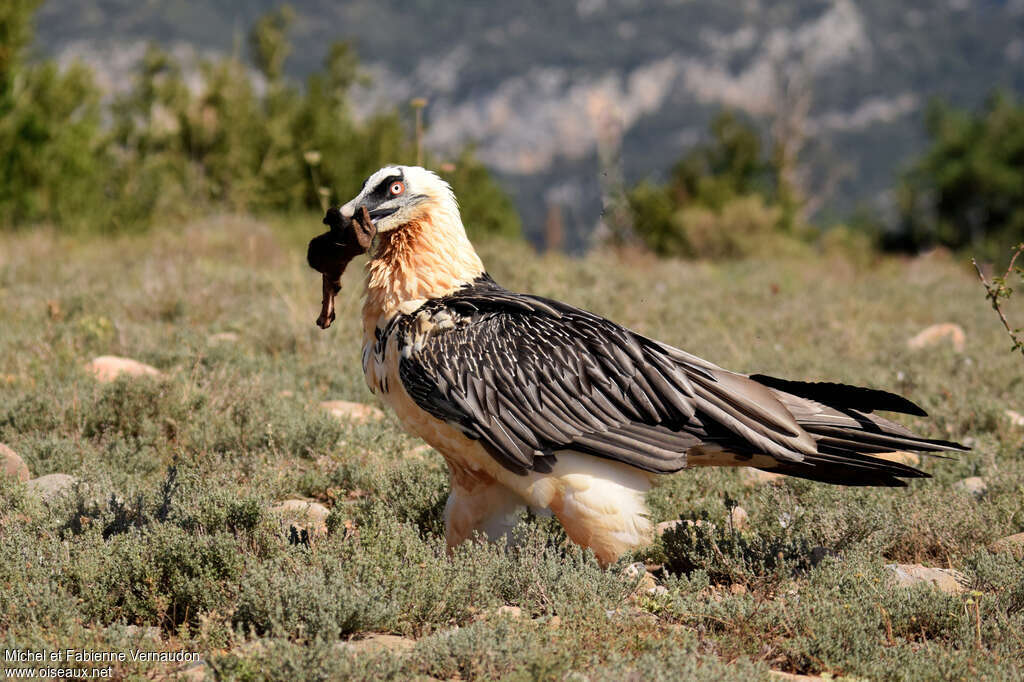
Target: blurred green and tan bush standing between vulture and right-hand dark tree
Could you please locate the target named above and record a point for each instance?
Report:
(721, 200)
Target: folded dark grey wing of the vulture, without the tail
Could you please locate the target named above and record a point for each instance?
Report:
(529, 376)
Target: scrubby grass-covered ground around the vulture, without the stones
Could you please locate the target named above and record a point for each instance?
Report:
(167, 544)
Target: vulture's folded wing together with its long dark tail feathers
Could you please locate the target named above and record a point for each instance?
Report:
(529, 377)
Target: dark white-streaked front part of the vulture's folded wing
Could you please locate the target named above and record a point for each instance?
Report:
(528, 377)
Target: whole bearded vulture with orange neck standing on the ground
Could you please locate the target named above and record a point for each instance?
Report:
(536, 403)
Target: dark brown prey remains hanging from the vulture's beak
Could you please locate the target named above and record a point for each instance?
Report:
(331, 252)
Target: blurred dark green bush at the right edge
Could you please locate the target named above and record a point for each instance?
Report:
(968, 189)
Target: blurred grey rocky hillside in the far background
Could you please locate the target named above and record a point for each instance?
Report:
(547, 90)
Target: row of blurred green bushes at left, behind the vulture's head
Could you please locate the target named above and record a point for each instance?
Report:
(241, 141)
